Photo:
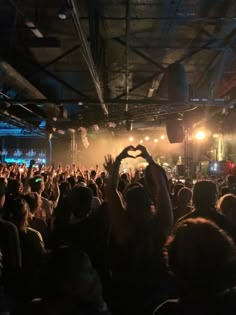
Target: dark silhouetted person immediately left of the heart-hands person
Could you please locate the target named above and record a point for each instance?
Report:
(87, 232)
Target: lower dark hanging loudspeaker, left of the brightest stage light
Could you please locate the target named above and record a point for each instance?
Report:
(175, 131)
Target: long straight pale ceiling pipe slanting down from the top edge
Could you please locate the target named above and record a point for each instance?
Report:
(88, 56)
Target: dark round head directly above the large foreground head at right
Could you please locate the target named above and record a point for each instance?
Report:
(205, 195)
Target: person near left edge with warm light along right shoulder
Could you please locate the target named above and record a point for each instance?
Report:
(32, 248)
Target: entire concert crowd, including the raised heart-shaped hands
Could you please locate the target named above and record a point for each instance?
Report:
(101, 241)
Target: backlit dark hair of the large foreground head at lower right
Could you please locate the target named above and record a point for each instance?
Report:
(202, 256)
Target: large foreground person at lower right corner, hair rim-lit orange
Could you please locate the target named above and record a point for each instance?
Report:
(202, 258)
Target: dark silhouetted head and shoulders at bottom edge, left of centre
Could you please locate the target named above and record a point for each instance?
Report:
(73, 286)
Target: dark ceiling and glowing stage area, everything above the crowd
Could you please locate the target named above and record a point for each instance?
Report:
(79, 79)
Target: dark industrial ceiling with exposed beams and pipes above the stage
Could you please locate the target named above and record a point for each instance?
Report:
(71, 64)
